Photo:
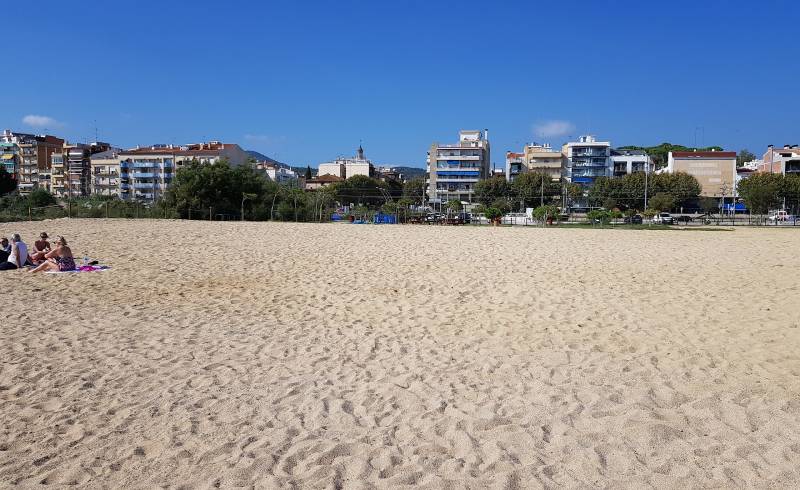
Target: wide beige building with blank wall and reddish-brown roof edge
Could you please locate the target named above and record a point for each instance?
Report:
(714, 170)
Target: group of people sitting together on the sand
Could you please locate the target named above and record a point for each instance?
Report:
(15, 254)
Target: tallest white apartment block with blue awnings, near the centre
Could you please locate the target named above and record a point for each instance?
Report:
(454, 169)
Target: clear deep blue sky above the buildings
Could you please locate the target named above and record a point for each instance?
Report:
(307, 81)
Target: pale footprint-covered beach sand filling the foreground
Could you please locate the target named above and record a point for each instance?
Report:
(351, 356)
